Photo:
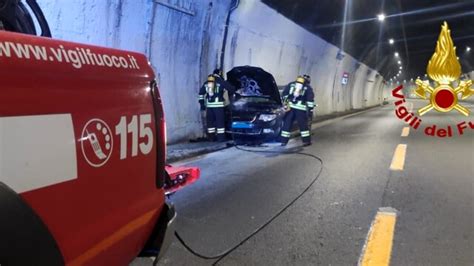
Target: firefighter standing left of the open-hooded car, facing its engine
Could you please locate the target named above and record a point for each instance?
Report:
(211, 99)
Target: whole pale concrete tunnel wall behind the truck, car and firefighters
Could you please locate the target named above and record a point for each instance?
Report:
(183, 38)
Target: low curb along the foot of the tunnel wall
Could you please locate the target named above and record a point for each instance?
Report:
(225, 145)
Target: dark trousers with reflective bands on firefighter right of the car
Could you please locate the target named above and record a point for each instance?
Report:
(302, 119)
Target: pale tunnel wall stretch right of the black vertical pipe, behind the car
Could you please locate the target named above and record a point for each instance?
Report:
(286, 50)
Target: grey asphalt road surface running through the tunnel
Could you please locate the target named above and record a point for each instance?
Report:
(432, 194)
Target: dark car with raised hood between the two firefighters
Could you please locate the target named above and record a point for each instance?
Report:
(256, 114)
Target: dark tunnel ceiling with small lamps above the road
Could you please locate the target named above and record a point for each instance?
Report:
(414, 26)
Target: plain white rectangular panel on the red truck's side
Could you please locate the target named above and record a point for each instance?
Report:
(37, 151)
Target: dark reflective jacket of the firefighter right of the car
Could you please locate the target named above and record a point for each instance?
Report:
(302, 100)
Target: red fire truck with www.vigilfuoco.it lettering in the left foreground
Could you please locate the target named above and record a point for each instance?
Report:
(82, 153)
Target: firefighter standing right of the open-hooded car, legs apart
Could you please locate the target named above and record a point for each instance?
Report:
(299, 100)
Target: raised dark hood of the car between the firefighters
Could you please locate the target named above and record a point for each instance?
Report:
(254, 81)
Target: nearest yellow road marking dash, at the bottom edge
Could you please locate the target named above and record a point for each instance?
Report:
(378, 248)
